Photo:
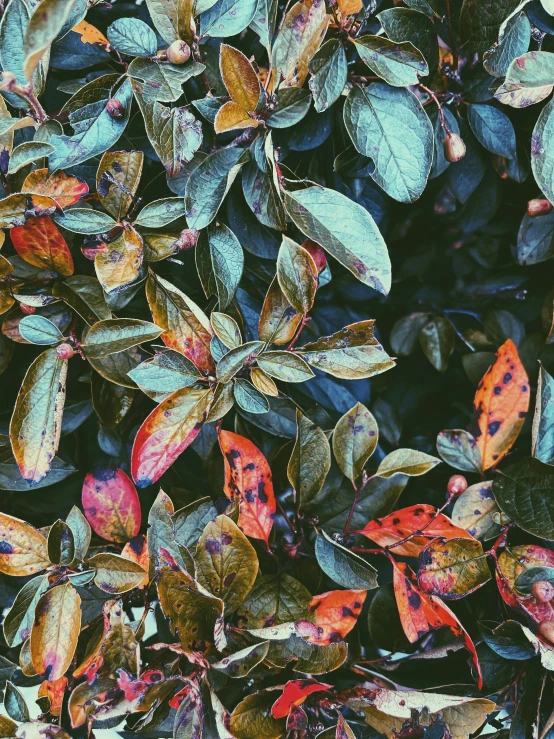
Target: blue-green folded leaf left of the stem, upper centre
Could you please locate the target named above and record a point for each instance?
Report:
(209, 183)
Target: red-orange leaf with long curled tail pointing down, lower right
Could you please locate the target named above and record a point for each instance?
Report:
(419, 613)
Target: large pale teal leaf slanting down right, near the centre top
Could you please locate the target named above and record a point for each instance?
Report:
(345, 230)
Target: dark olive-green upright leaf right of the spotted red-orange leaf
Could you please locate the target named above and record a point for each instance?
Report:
(310, 460)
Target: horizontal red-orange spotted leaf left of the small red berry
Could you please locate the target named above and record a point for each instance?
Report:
(400, 524)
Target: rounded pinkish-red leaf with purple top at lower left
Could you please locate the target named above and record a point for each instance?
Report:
(111, 504)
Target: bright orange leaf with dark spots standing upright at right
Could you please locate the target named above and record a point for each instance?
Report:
(500, 405)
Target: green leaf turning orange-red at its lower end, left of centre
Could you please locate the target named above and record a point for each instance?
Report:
(186, 328)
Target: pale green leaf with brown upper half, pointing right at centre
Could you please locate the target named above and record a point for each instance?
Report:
(351, 354)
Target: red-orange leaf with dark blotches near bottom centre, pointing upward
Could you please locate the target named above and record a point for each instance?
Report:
(248, 477)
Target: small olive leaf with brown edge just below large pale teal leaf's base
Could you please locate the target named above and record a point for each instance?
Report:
(297, 275)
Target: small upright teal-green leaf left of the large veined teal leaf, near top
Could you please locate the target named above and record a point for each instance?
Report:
(329, 69)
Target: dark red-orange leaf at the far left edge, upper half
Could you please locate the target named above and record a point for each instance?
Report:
(40, 243)
